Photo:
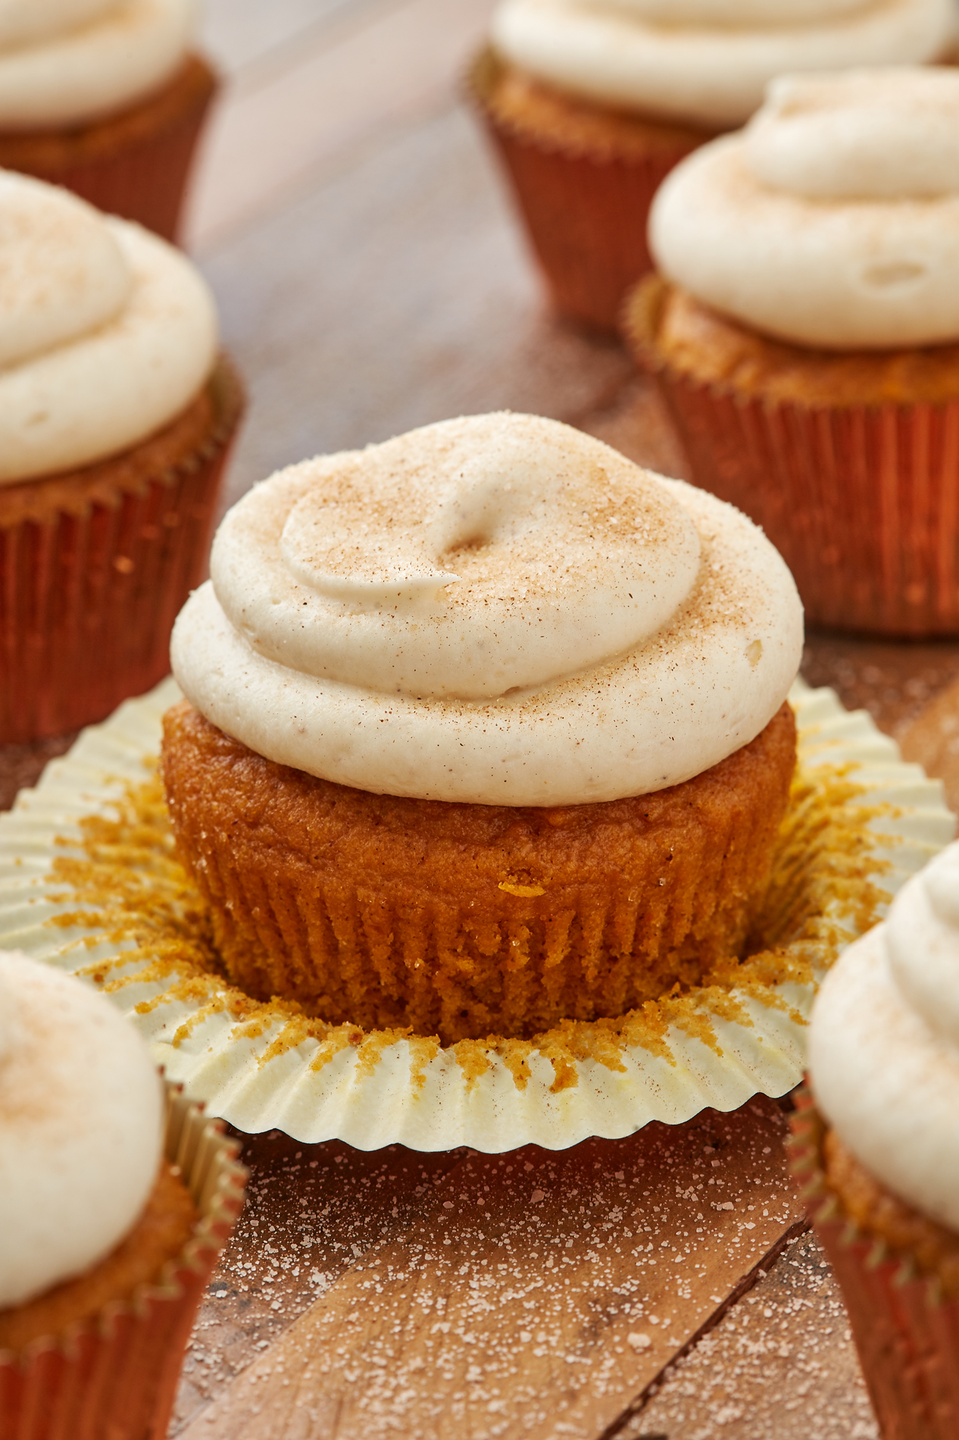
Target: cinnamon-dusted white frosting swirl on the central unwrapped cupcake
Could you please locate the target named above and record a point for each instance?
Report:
(496, 610)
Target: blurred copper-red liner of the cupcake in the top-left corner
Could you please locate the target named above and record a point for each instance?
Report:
(136, 163)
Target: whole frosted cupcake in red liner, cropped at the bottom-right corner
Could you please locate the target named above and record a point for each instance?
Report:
(879, 1151)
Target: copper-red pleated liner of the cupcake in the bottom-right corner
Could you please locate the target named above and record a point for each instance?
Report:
(908, 1337)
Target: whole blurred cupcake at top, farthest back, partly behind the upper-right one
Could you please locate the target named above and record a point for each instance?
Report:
(593, 103)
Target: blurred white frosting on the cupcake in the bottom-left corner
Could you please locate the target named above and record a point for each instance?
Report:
(81, 1128)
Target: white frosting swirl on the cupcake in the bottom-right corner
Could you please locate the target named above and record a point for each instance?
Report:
(885, 1045)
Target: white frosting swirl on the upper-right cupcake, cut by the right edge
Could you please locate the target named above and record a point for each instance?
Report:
(833, 218)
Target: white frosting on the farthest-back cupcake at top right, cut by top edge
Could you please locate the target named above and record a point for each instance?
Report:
(709, 61)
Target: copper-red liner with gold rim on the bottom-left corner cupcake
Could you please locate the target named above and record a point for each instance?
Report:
(117, 1376)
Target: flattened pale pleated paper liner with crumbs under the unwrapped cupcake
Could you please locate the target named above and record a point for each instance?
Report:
(90, 882)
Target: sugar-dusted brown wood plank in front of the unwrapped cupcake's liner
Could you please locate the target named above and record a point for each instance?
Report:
(535, 1295)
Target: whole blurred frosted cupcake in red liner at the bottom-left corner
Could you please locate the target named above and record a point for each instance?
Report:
(114, 1205)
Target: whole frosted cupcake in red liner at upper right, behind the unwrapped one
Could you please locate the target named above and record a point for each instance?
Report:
(809, 352)
